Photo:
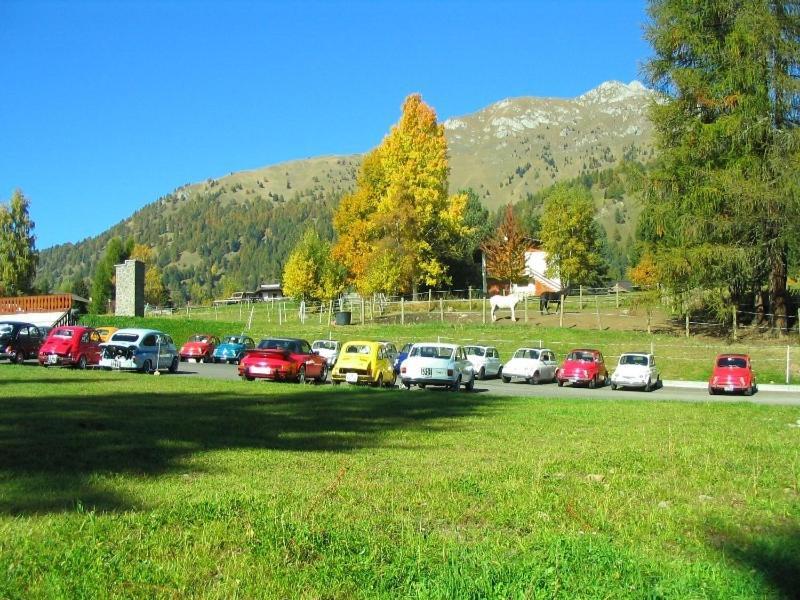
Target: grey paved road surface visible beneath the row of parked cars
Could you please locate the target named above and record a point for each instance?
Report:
(497, 387)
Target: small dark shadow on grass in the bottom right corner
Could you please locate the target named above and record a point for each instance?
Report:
(774, 554)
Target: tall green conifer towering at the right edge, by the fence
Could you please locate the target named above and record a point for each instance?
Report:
(722, 211)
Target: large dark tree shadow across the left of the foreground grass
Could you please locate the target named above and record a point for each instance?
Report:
(52, 449)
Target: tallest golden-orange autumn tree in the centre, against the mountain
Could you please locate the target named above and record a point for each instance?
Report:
(399, 225)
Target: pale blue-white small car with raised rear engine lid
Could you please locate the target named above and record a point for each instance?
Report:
(143, 350)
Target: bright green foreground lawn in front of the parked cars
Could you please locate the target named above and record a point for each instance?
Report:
(142, 486)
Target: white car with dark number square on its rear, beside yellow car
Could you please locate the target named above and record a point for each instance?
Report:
(437, 364)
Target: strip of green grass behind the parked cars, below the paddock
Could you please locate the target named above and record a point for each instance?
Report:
(678, 357)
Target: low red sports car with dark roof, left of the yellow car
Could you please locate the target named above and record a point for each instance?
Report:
(283, 360)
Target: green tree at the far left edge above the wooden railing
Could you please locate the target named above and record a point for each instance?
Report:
(18, 255)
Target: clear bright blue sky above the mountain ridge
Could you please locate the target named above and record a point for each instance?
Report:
(105, 106)
